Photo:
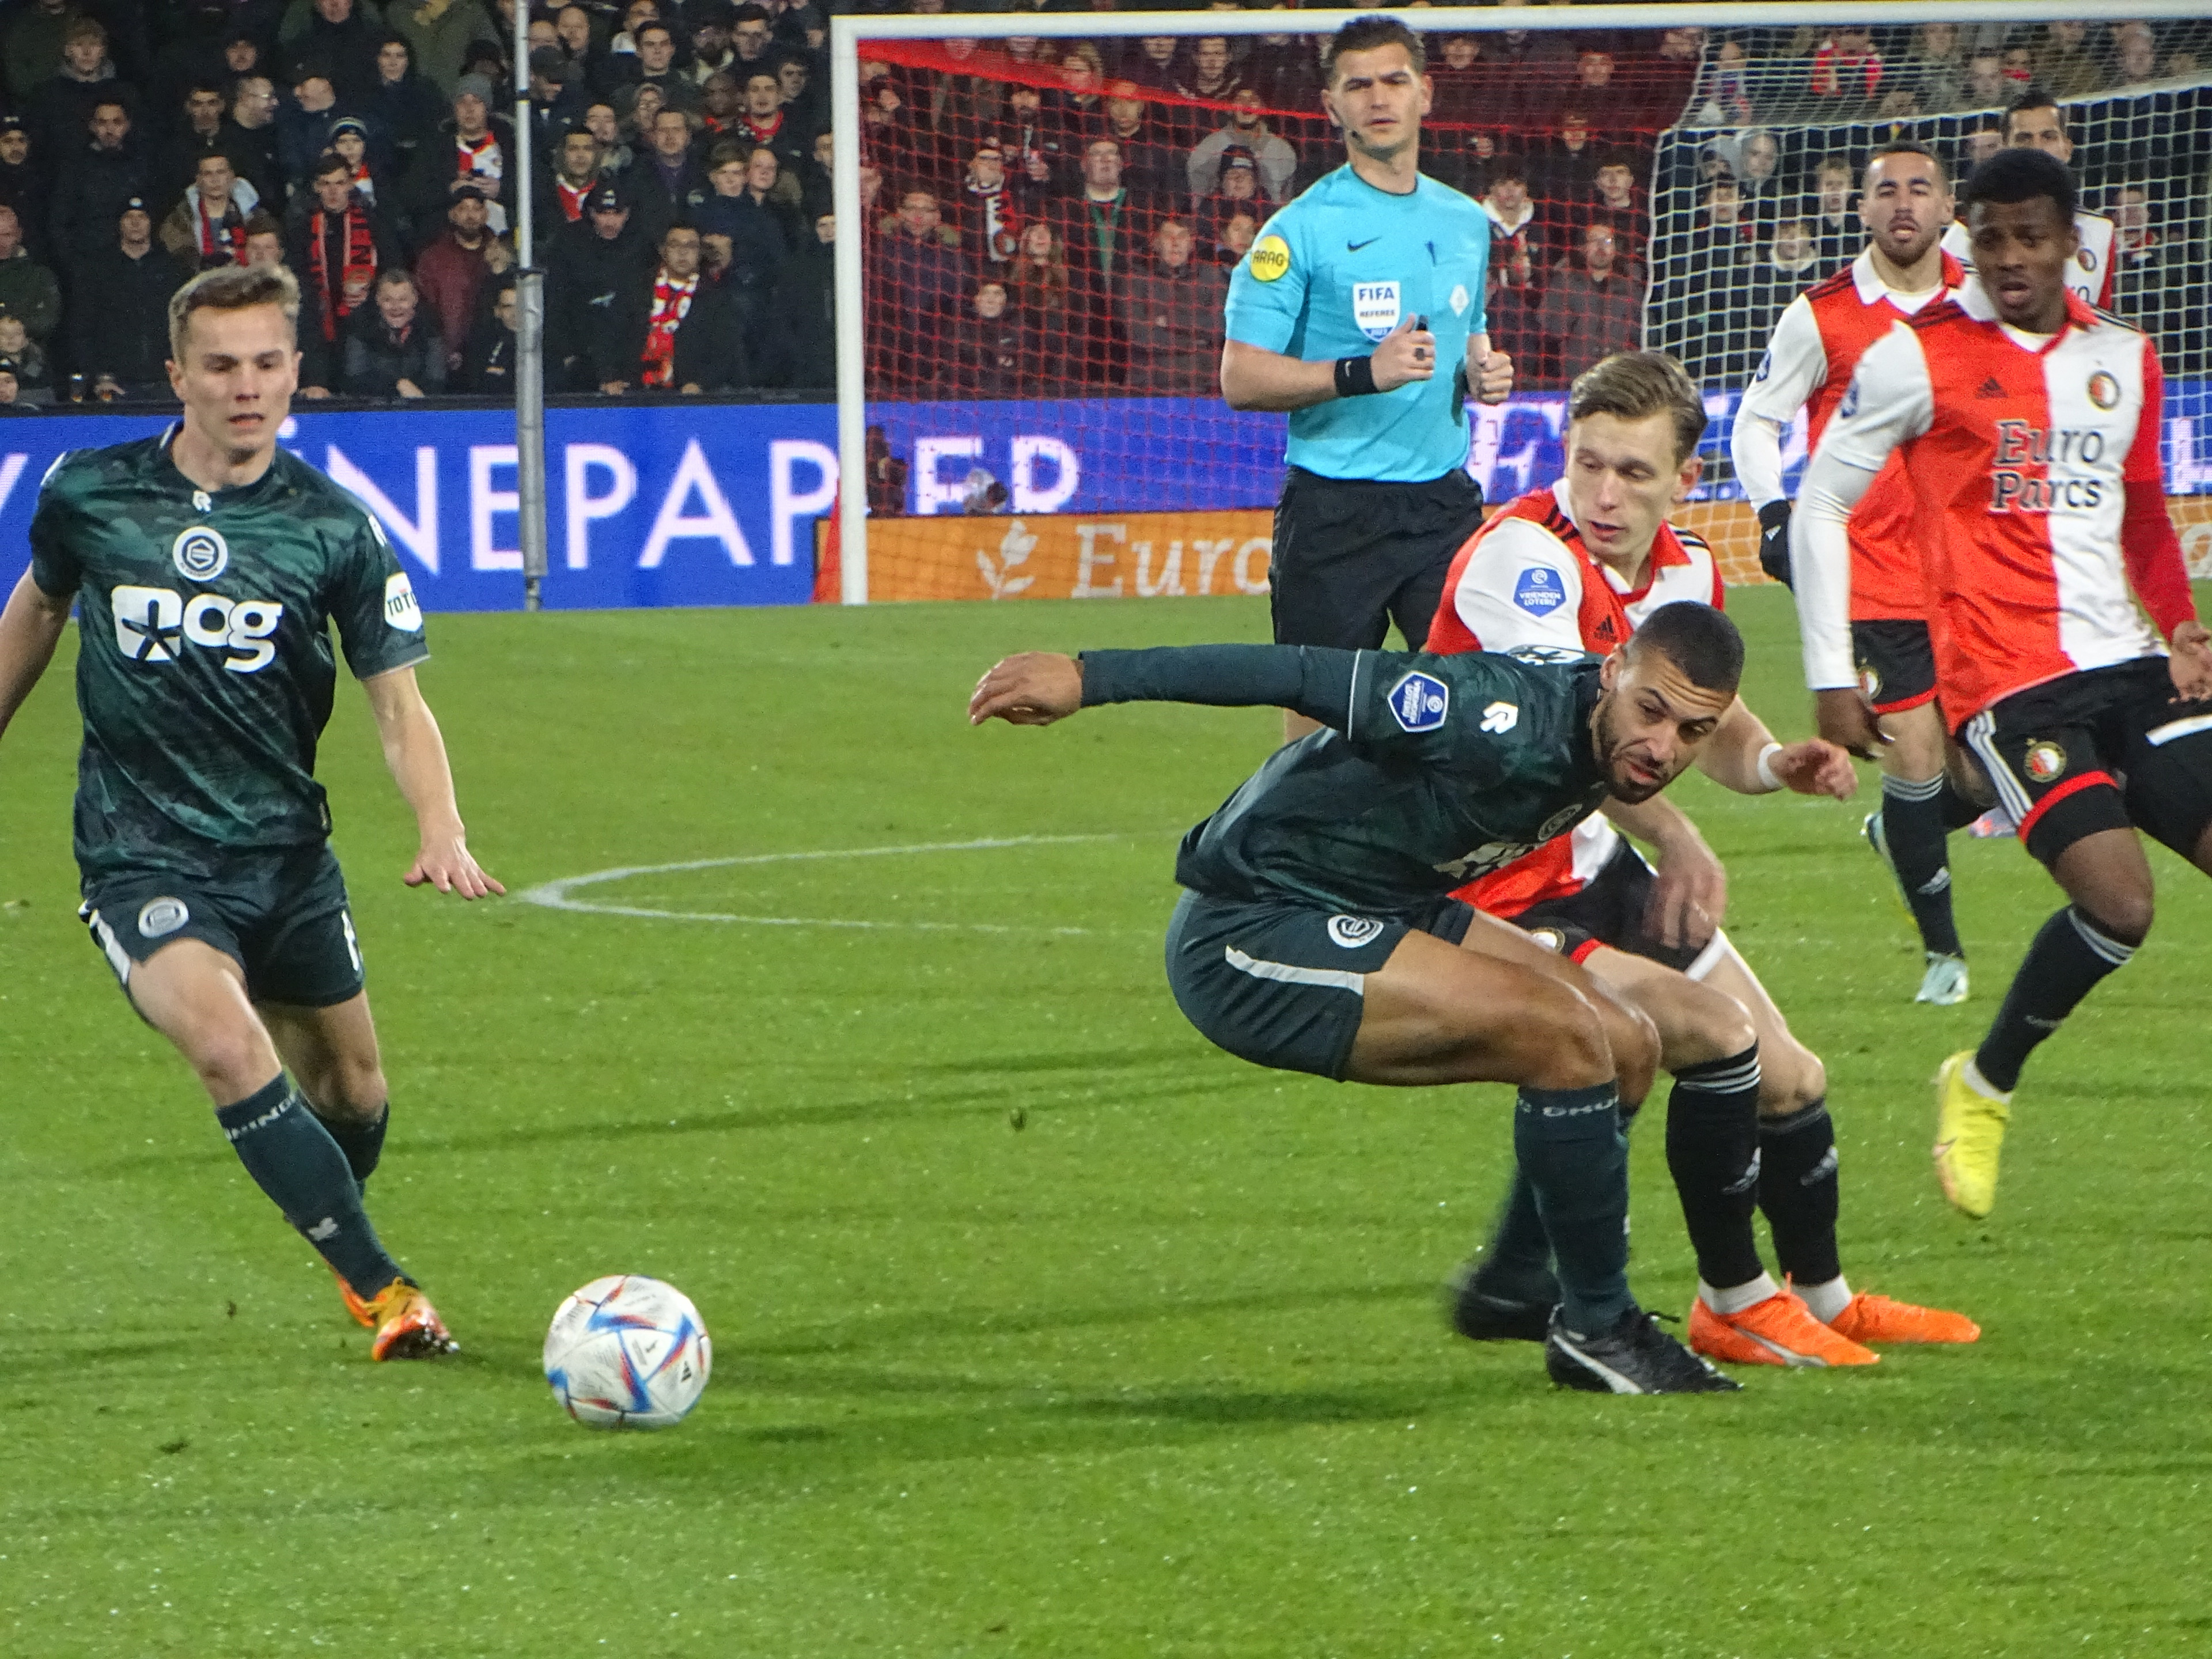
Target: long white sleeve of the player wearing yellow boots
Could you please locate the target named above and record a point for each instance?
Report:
(1890, 404)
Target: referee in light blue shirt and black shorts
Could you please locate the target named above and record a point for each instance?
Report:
(1342, 315)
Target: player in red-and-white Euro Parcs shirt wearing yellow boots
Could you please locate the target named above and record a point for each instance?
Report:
(2030, 428)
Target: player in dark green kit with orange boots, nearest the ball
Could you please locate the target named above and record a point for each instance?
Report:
(207, 567)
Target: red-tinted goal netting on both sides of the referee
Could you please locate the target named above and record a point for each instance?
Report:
(1061, 218)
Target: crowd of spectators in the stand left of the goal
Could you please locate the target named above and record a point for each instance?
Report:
(682, 196)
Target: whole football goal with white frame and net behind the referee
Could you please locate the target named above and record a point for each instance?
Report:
(1032, 309)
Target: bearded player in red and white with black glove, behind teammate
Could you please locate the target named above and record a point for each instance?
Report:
(1817, 342)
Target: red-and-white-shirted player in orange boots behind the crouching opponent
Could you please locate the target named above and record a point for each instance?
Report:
(1580, 567)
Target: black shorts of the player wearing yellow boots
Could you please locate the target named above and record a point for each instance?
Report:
(2107, 749)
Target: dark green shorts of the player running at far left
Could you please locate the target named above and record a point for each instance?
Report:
(282, 917)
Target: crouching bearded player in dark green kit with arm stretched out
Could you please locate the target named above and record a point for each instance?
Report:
(1315, 928)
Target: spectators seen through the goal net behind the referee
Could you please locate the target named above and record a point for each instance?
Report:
(1058, 216)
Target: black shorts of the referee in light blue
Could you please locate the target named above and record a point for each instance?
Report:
(1353, 556)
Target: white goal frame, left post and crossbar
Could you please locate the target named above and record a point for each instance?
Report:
(851, 32)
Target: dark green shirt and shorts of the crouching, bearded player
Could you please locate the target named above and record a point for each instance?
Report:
(1432, 771)
